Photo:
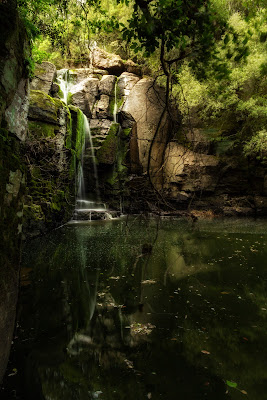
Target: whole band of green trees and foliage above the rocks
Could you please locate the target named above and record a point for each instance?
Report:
(211, 56)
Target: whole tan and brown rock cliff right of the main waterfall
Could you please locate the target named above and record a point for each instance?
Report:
(137, 152)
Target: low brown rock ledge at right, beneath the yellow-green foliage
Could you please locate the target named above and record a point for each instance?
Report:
(210, 182)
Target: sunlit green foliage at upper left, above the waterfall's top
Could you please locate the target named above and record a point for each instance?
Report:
(68, 36)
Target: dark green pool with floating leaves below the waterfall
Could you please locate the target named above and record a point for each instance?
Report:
(143, 309)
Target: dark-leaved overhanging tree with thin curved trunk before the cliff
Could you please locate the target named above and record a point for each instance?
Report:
(180, 30)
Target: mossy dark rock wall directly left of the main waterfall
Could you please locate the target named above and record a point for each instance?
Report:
(56, 134)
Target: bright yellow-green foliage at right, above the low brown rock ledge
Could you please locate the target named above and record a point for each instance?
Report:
(235, 104)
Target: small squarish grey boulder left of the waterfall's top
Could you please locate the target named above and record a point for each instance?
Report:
(44, 76)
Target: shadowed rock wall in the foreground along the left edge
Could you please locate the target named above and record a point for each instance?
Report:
(13, 131)
